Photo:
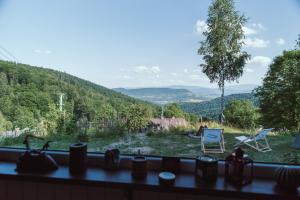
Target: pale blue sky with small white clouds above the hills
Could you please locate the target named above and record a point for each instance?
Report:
(138, 43)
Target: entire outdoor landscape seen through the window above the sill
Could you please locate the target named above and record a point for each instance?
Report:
(165, 78)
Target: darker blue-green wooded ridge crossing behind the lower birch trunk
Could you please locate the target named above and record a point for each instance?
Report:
(211, 109)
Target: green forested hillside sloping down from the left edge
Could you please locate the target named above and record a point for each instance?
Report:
(29, 97)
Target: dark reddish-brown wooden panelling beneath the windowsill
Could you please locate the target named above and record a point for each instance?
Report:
(18, 190)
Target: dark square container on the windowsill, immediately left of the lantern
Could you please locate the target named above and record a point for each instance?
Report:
(206, 168)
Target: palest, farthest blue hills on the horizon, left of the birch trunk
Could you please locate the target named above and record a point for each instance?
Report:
(161, 95)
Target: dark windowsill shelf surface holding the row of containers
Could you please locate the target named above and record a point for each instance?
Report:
(185, 183)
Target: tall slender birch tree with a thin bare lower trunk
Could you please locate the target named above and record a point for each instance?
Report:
(222, 46)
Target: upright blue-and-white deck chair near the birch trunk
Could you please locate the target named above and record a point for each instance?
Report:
(212, 141)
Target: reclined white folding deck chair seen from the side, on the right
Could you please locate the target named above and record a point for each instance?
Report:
(258, 142)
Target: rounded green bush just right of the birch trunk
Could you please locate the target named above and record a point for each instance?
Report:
(241, 114)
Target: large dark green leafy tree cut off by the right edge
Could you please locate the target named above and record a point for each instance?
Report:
(279, 95)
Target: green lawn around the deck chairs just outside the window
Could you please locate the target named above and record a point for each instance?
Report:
(172, 144)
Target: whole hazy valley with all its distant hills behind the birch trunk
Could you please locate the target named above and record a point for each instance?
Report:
(201, 101)
